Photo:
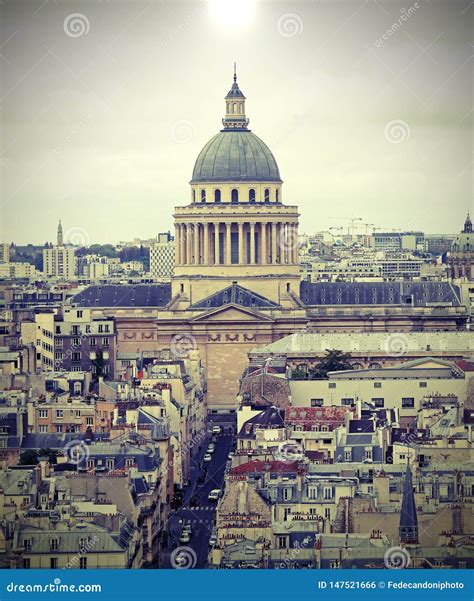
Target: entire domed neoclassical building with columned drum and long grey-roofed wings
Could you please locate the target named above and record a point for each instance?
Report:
(236, 285)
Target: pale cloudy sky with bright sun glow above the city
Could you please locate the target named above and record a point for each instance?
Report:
(105, 105)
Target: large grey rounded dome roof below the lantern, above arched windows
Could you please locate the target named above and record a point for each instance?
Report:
(236, 156)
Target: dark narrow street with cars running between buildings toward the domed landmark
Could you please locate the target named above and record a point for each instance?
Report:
(197, 510)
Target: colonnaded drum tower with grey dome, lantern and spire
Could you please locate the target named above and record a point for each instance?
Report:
(236, 228)
